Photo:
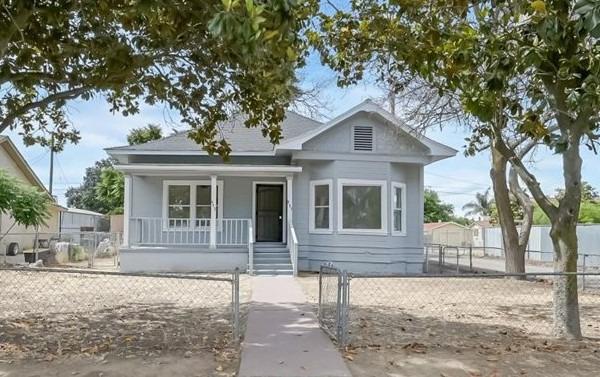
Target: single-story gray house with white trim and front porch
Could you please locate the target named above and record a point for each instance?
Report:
(349, 191)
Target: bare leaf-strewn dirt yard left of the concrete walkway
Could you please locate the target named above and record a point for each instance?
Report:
(90, 324)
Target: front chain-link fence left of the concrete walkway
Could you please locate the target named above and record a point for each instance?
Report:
(46, 313)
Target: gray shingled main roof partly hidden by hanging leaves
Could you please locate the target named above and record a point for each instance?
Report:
(243, 140)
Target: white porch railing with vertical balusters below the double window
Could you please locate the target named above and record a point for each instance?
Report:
(187, 232)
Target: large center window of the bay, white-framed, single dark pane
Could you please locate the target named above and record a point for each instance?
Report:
(362, 206)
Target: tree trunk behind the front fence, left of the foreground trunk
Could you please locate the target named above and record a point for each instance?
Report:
(514, 258)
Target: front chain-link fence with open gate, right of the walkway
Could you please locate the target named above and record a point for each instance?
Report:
(408, 309)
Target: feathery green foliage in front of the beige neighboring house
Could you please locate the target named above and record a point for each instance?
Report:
(25, 204)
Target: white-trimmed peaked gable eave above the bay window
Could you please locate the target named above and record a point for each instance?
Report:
(436, 150)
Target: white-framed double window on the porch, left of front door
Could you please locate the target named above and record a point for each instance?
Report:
(187, 203)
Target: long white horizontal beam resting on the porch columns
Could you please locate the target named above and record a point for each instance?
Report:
(218, 169)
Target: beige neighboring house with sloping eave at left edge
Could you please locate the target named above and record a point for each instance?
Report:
(14, 163)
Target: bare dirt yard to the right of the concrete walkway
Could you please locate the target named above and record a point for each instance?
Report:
(462, 327)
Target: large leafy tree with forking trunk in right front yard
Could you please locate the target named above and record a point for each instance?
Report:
(526, 72)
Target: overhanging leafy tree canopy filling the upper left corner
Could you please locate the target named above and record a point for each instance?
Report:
(203, 59)
